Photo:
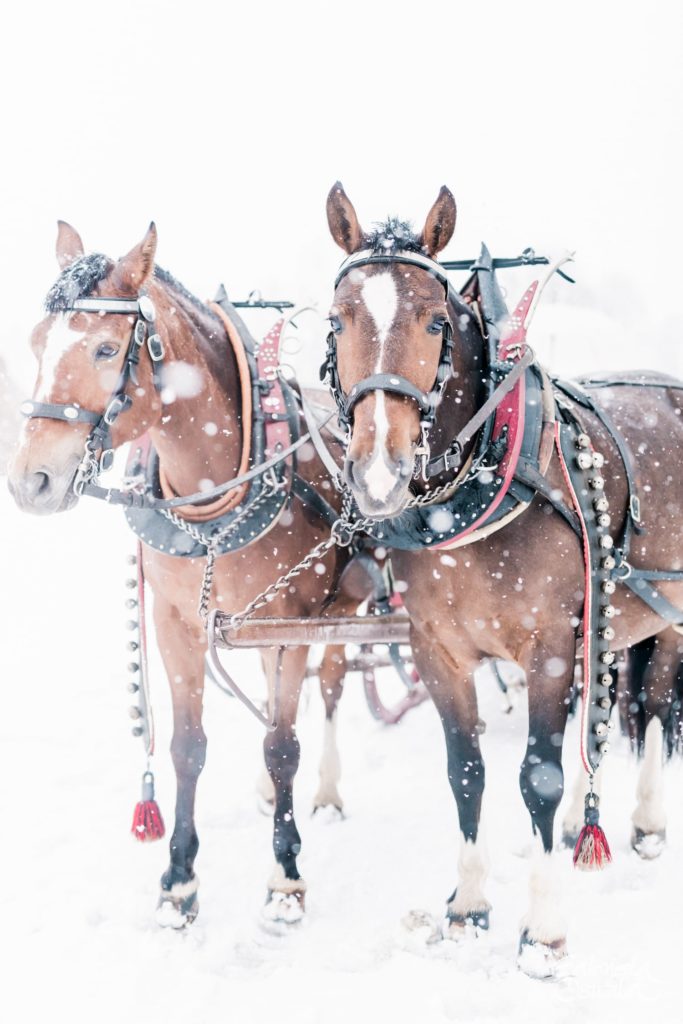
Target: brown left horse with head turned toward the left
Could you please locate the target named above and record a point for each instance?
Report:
(196, 428)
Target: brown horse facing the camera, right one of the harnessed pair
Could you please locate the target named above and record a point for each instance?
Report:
(409, 367)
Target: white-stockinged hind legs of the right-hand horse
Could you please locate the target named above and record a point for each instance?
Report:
(650, 696)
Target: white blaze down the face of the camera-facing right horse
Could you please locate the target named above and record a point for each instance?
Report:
(381, 298)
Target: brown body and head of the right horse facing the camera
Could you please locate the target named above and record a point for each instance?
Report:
(519, 593)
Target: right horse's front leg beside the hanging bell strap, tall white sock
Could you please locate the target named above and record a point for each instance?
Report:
(549, 672)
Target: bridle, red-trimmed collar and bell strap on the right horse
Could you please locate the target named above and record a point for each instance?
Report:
(514, 445)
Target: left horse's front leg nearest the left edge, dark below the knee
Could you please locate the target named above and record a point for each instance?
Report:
(183, 649)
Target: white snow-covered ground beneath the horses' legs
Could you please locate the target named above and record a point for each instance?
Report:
(79, 893)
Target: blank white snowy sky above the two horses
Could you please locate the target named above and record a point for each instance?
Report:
(557, 125)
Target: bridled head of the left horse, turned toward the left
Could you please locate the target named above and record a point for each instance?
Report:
(81, 357)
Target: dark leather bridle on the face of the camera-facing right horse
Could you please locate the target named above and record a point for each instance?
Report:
(428, 402)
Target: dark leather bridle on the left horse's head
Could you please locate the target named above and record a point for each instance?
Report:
(100, 439)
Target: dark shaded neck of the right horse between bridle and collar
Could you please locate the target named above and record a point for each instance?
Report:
(464, 393)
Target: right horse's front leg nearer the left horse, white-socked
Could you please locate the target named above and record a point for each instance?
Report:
(450, 679)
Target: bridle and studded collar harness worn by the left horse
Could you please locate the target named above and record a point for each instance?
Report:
(253, 500)
